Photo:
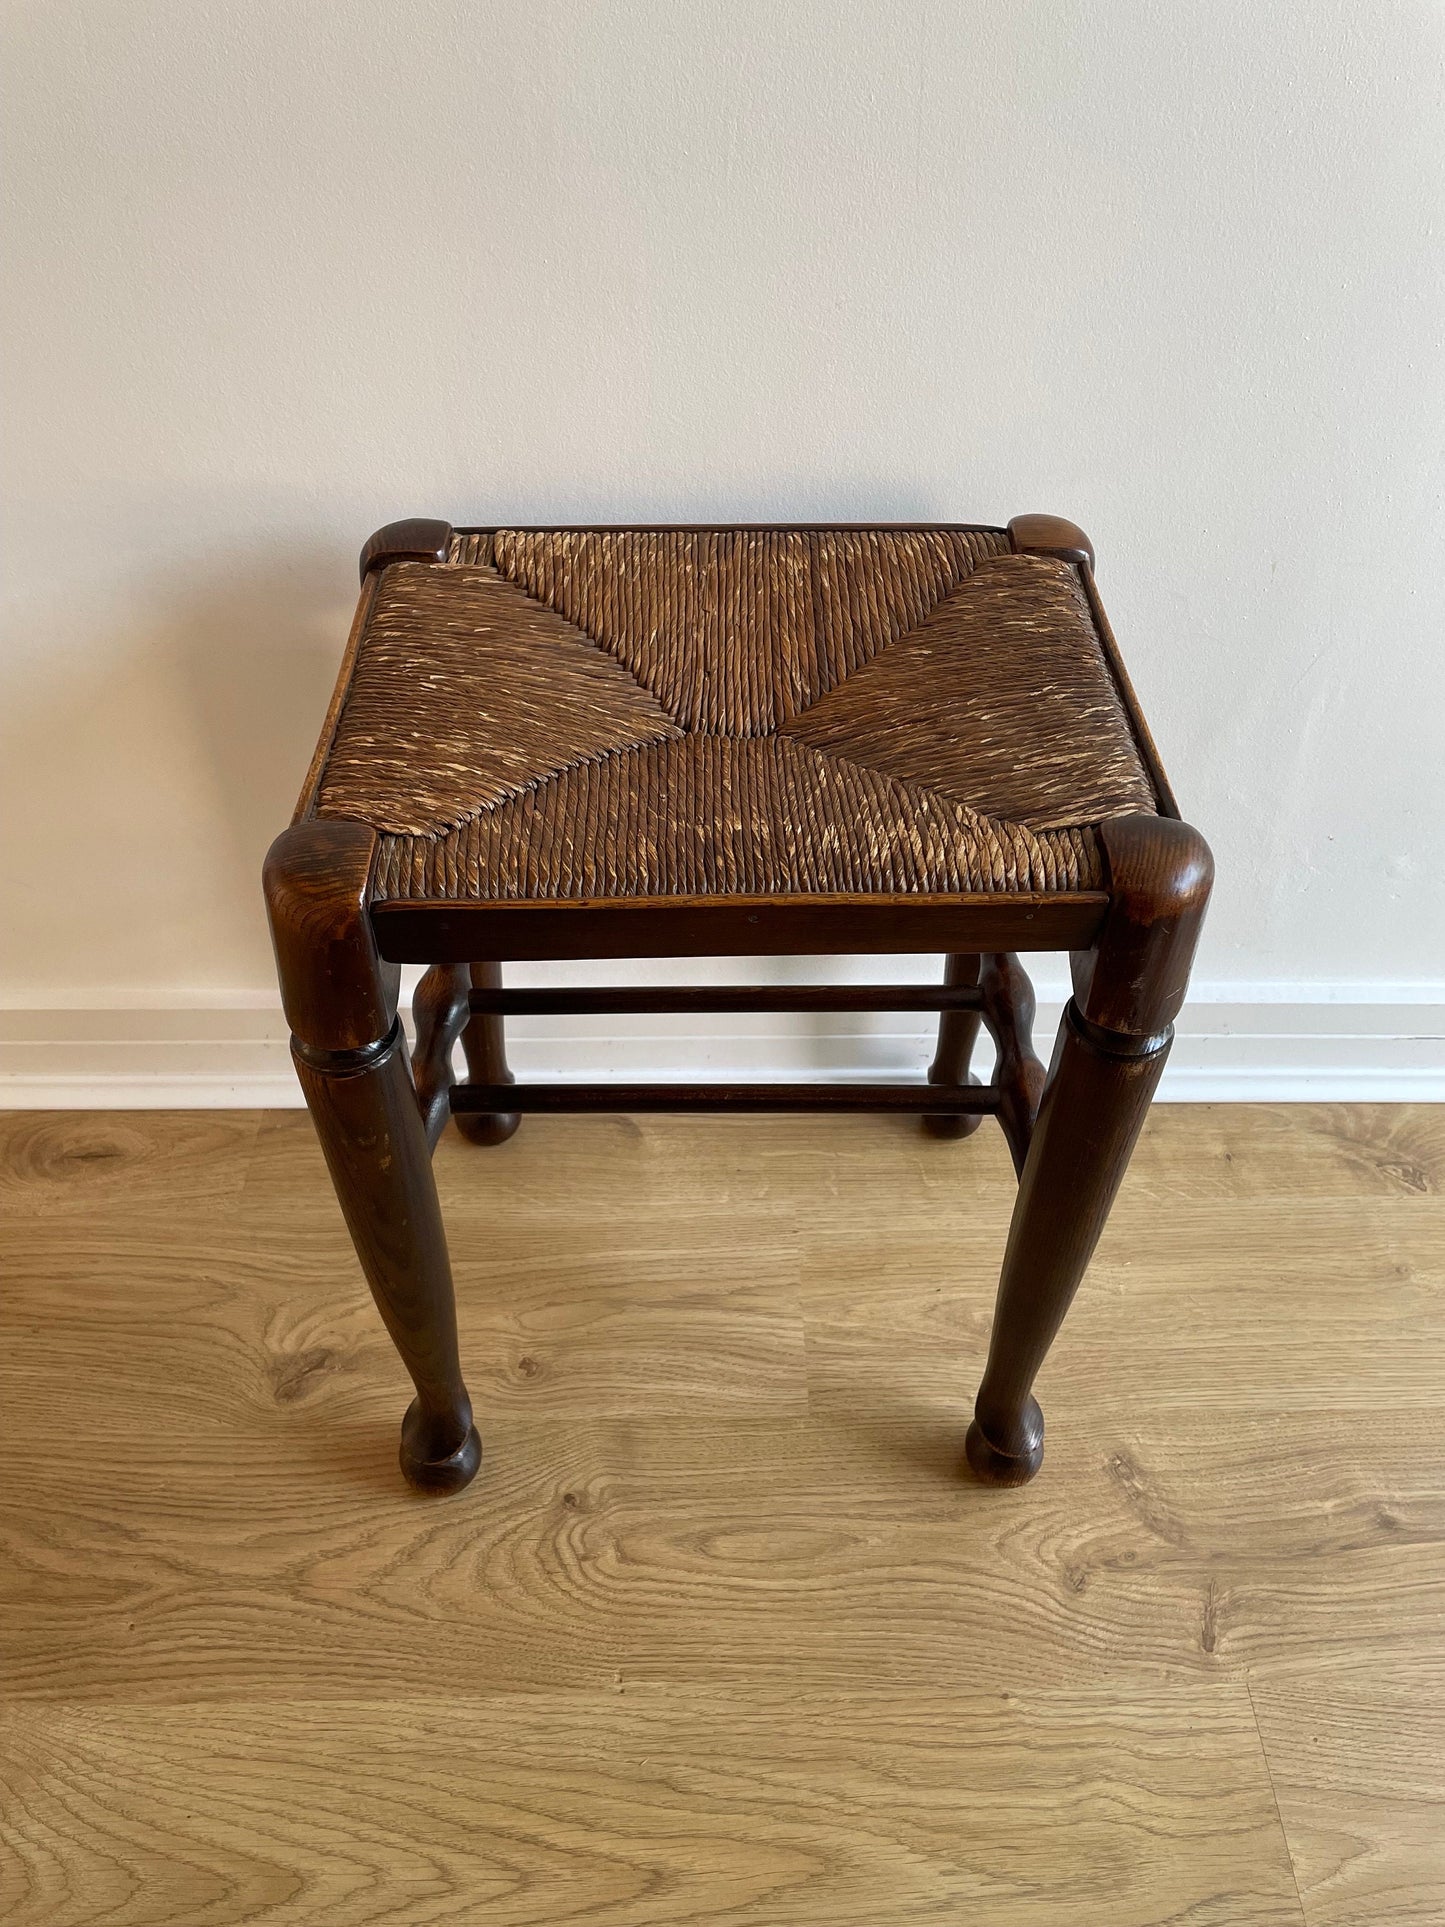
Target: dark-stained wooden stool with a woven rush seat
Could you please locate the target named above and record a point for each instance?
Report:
(594, 743)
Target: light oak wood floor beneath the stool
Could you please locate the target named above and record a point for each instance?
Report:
(723, 1633)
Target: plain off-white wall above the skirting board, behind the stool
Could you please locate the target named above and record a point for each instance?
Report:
(280, 273)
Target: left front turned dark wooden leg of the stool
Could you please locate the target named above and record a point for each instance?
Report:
(352, 1059)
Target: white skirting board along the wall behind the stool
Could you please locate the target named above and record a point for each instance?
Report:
(1232, 1047)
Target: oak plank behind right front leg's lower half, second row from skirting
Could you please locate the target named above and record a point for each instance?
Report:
(1246, 1306)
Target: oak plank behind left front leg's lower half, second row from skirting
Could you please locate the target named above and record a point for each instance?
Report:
(203, 1313)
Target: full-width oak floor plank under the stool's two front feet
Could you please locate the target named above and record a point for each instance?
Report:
(278, 1556)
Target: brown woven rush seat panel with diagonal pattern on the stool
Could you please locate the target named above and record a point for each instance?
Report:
(616, 714)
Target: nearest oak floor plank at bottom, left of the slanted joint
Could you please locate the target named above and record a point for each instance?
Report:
(648, 1810)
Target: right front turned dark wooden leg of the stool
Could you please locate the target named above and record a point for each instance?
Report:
(1111, 1051)
